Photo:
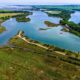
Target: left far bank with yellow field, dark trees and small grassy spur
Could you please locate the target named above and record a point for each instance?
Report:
(5, 15)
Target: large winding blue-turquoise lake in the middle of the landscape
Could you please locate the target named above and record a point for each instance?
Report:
(52, 36)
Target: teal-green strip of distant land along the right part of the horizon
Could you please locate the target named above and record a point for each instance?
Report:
(59, 7)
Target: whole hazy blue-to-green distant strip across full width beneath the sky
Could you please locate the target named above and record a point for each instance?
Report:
(23, 7)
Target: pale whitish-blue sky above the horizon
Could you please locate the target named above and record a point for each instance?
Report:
(34, 2)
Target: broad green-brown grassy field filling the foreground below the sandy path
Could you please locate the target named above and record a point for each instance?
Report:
(28, 62)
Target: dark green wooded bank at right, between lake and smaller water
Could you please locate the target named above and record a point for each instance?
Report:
(65, 15)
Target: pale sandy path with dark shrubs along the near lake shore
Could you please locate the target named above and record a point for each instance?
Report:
(45, 46)
